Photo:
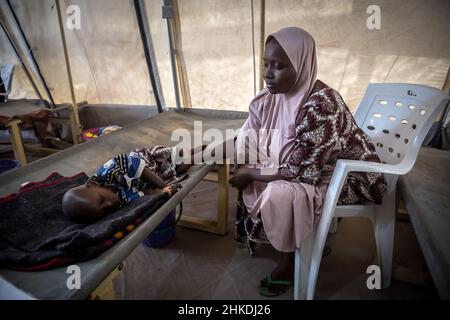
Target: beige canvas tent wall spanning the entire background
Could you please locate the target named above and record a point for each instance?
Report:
(413, 45)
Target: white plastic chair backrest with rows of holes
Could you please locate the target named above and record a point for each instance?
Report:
(397, 117)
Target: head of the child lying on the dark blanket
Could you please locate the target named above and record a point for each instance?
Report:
(88, 203)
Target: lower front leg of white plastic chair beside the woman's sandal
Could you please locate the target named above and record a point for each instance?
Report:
(302, 266)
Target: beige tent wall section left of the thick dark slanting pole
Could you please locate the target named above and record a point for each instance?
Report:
(106, 54)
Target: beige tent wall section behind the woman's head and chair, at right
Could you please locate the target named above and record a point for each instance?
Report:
(412, 46)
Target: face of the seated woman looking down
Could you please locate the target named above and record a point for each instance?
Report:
(279, 74)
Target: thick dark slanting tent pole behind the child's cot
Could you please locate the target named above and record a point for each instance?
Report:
(146, 37)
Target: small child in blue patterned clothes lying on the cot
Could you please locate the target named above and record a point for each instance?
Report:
(123, 179)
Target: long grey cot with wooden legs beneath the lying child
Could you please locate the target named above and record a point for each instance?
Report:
(85, 157)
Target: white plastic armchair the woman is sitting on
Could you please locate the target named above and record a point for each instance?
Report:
(397, 117)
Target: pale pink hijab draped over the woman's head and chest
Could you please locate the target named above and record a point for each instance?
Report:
(278, 111)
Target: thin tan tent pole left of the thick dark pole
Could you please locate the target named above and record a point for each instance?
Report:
(75, 120)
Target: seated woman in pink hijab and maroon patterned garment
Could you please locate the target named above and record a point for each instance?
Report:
(305, 127)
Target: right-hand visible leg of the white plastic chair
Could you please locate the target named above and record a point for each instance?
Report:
(384, 236)
